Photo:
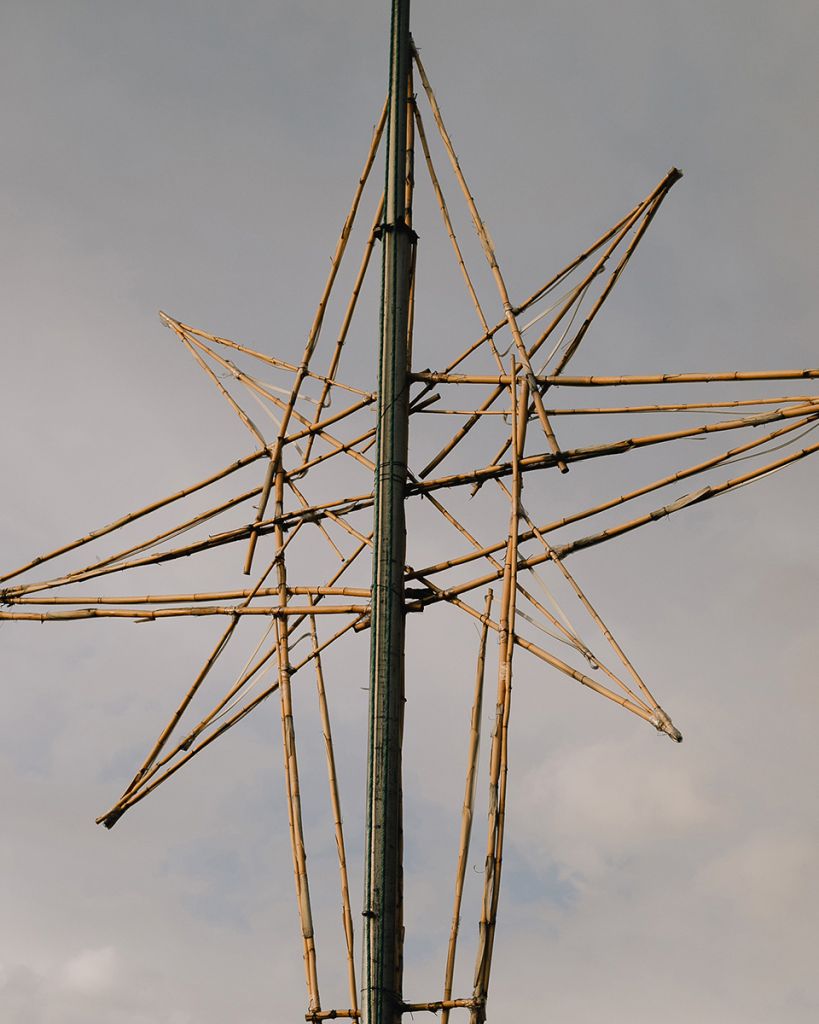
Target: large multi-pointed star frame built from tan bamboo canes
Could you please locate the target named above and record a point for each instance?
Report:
(508, 393)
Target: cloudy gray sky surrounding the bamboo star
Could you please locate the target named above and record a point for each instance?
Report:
(199, 159)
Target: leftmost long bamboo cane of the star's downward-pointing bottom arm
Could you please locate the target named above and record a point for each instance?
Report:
(292, 764)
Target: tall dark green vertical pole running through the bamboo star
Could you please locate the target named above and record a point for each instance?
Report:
(381, 997)
